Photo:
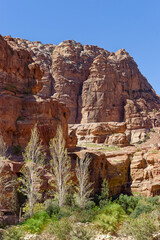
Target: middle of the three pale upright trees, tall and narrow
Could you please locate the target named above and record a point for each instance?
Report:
(60, 166)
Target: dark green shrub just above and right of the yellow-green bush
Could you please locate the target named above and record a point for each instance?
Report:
(128, 203)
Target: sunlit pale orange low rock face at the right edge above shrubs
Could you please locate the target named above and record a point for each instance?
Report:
(145, 172)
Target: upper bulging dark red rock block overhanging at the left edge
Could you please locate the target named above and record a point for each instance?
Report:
(18, 72)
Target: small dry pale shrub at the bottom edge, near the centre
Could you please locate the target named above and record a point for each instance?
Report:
(80, 233)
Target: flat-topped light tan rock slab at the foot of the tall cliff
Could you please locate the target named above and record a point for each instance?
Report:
(109, 133)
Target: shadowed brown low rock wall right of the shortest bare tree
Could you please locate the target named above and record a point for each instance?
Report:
(113, 166)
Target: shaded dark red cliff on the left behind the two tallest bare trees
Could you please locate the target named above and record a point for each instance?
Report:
(21, 78)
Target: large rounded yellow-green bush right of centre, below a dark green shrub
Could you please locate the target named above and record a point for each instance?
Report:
(110, 218)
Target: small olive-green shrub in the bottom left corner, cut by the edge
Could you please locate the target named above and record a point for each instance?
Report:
(12, 234)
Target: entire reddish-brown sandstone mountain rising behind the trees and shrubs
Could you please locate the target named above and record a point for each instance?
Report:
(102, 95)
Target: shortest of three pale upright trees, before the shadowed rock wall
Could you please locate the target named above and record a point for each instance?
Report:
(84, 188)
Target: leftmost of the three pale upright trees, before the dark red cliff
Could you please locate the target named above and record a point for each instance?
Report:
(33, 157)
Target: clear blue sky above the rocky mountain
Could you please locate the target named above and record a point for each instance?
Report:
(110, 24)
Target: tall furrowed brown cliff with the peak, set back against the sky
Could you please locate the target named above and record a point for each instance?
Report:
(94, 83)
